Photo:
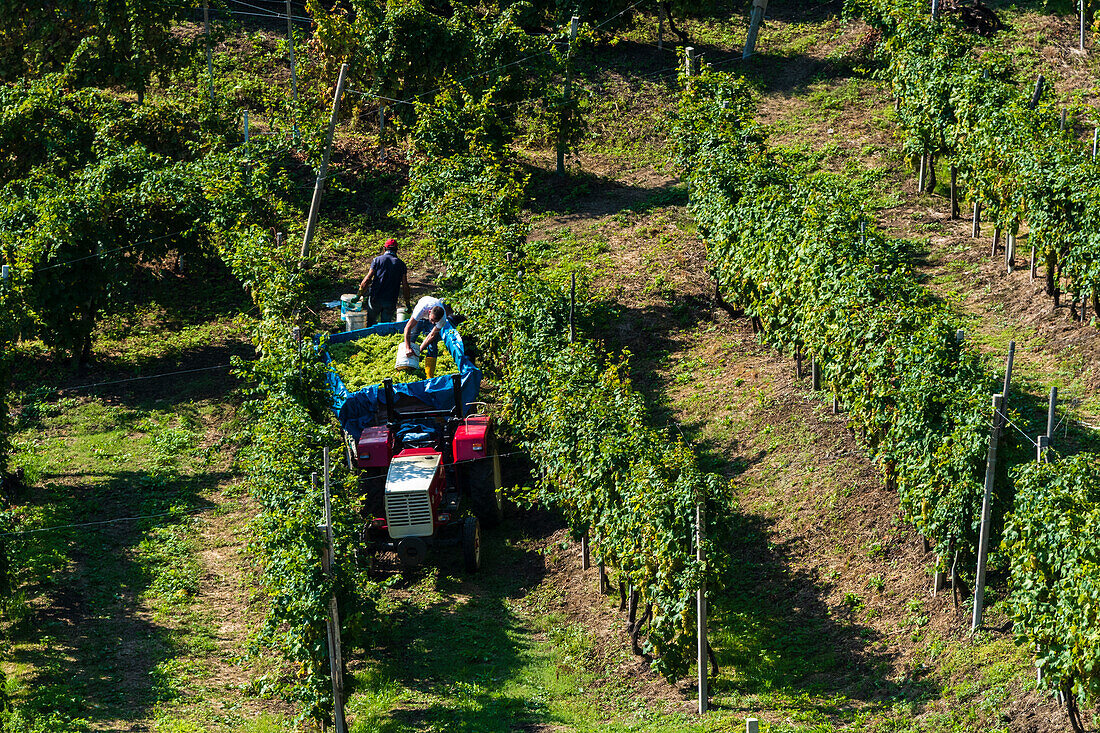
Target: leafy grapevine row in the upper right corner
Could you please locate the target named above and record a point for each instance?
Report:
(959, 99)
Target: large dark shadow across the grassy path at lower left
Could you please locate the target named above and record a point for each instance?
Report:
(93, 648)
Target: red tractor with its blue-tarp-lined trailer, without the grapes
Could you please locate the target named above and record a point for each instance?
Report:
(425, 455)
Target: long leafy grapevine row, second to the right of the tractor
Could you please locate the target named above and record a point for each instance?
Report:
(789, 249)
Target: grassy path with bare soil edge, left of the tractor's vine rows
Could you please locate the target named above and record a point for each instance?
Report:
(122, 623)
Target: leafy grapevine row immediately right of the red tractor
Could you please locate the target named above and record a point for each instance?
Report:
(570, 407)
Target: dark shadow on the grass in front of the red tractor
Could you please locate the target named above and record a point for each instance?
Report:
(458, 655)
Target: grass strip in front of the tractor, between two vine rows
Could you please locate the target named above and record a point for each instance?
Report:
(491, 653)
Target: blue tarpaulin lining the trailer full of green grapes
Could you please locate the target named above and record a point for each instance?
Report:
(360, 410)
